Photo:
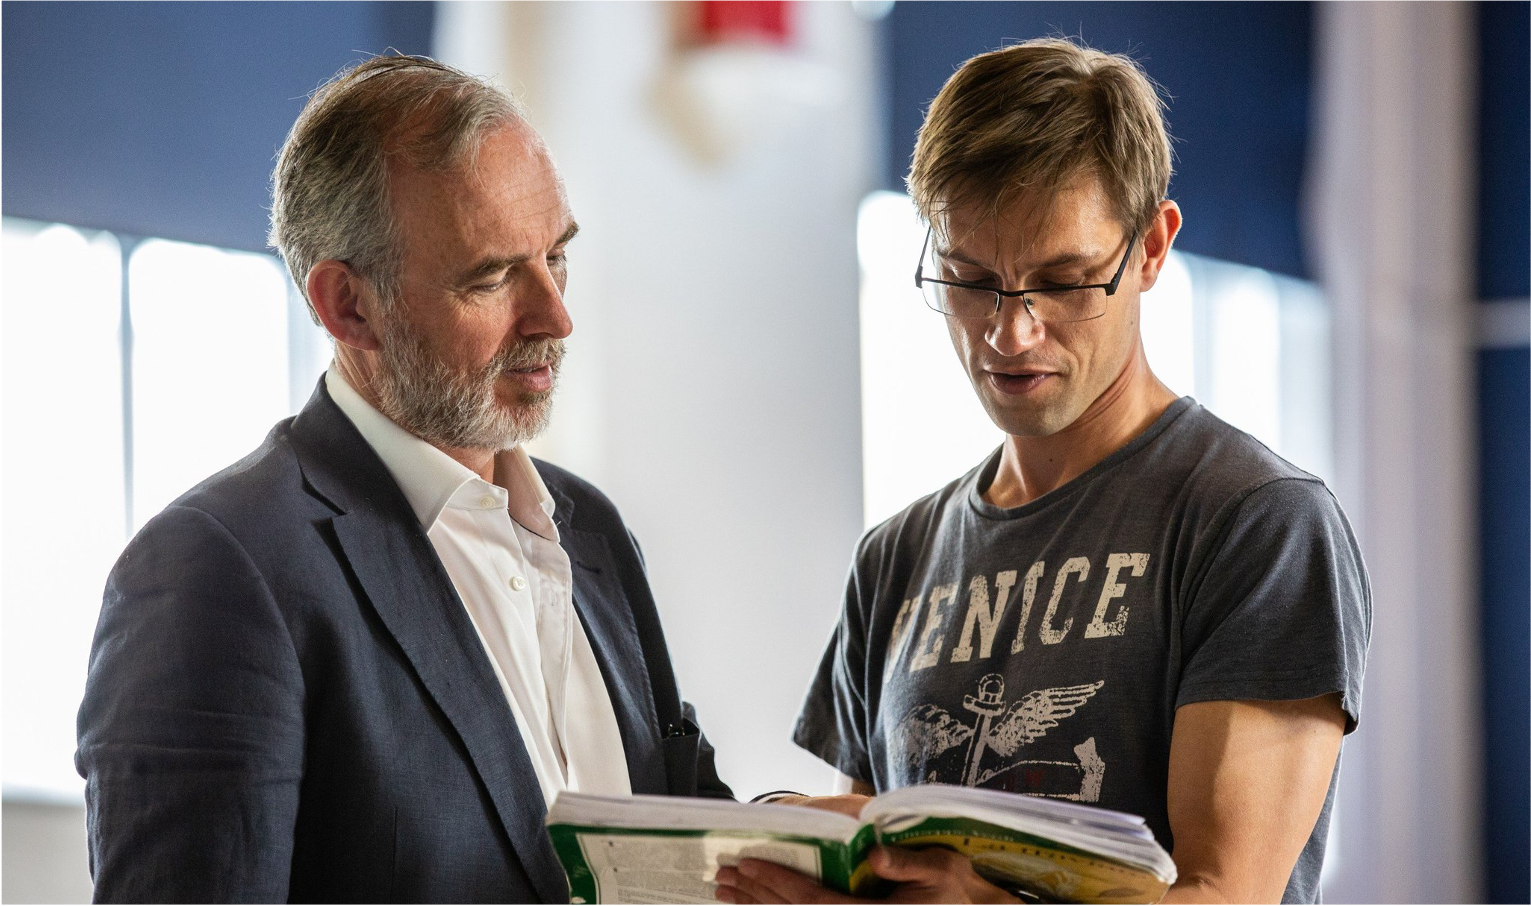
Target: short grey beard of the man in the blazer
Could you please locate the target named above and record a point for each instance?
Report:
(460, 411)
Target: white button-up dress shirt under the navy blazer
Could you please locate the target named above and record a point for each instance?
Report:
(501, 552)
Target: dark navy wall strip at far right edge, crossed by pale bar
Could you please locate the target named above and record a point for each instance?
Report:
(1504, 411)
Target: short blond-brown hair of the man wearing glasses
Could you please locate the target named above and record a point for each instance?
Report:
(1031, 119)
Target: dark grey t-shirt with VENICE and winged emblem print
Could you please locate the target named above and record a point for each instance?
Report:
(1046, 648)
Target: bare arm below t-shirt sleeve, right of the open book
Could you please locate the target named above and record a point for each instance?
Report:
(1247, 784)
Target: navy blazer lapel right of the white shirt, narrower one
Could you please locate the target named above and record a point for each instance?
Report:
(609, 624)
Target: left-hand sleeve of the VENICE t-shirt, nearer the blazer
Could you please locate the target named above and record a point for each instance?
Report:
(835, 723)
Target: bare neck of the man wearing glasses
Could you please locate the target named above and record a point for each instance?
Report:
(1031, 468)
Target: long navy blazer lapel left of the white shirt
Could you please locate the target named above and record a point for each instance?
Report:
(410, 590)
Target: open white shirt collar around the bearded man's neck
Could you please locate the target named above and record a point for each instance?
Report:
(433, 481)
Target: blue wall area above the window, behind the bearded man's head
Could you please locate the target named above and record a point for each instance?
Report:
(163, 117)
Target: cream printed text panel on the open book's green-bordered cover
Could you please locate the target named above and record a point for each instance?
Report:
(679, 869)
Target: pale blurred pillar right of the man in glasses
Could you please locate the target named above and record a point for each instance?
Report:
(1392, 203)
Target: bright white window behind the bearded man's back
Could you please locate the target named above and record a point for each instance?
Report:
(119, 397)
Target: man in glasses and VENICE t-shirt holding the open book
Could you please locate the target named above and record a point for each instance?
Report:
(1131, 602)
